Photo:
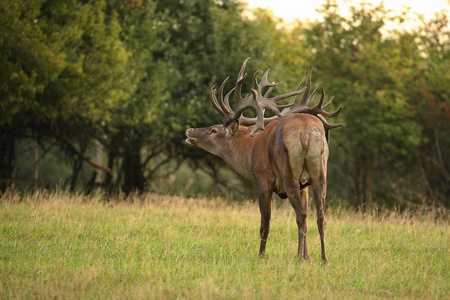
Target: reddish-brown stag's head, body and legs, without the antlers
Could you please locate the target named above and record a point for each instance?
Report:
(290, 154)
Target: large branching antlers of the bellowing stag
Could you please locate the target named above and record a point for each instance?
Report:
(261, 102)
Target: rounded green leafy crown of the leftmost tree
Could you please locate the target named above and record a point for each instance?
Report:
(59, 59)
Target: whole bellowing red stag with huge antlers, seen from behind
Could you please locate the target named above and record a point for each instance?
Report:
(284, 154)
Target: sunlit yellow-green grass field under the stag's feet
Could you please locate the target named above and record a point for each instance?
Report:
(160, 247)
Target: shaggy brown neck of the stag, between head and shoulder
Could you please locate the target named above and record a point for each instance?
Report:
(238, 153)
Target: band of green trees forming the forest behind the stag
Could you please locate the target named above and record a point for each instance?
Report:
(98, 94)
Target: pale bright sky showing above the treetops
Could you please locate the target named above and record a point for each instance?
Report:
(303, 9)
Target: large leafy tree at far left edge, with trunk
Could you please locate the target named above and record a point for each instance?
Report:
(64, 71)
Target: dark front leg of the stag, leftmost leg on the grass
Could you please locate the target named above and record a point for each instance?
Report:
(265, 207)
